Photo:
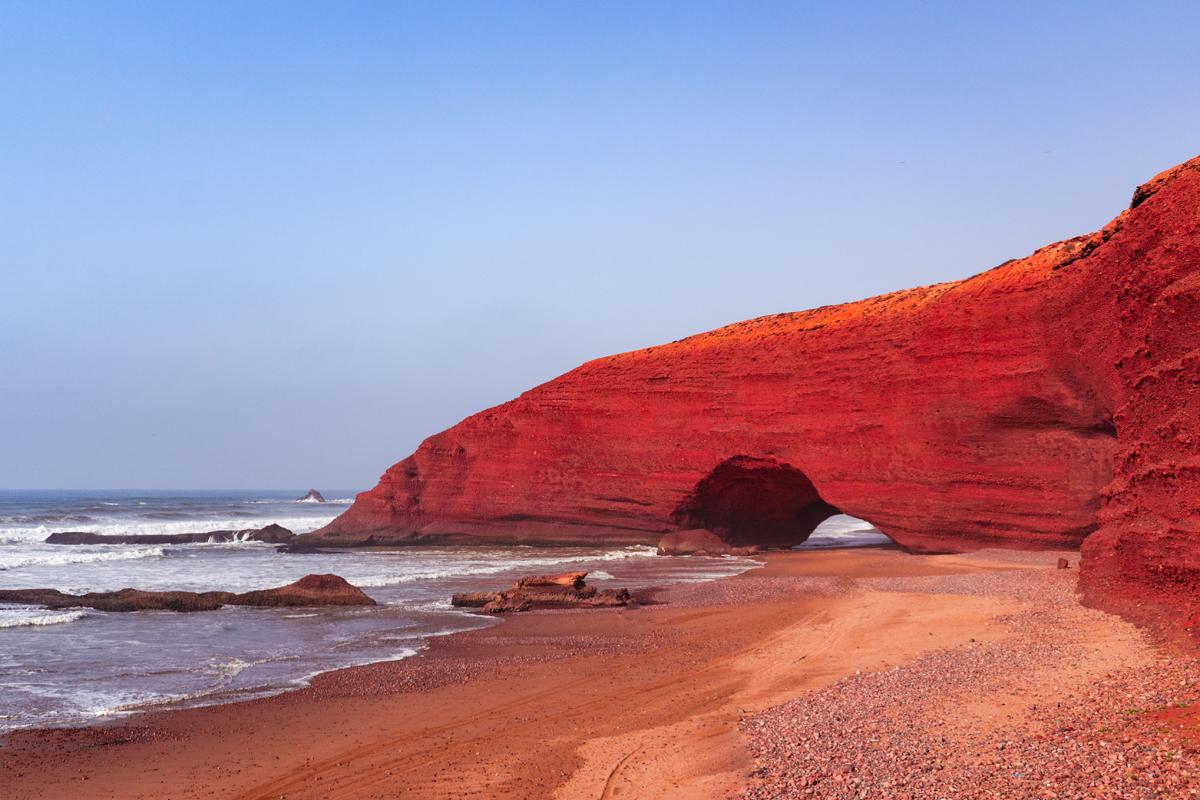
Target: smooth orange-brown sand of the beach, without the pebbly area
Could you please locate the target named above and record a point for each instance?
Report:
(667, 700)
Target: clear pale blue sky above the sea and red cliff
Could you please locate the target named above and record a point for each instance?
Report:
(275, 245)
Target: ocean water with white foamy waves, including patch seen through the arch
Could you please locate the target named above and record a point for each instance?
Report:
(79, 666)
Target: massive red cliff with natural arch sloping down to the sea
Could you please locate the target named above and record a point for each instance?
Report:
(1046, 402)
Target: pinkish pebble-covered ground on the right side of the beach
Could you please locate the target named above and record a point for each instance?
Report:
(1027, 717)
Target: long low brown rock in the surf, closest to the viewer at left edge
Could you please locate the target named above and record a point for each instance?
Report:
(309, 591)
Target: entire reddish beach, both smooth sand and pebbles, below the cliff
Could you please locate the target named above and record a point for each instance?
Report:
(865, 673)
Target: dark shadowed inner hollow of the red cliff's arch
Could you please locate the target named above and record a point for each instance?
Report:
(755, 502)
